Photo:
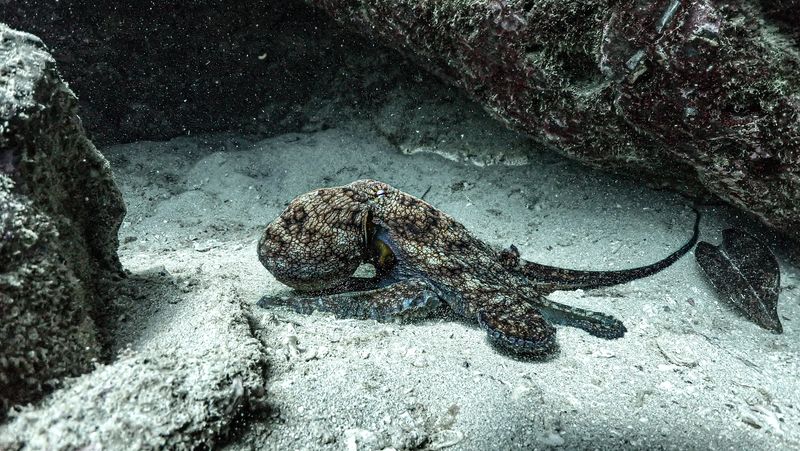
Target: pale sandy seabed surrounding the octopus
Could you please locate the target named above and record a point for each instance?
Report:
(689, 374)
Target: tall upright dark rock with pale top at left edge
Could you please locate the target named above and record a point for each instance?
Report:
(59, 215)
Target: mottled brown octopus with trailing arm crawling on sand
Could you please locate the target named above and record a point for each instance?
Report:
(425, 264)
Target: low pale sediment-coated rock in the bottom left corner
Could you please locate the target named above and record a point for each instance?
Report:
(177, 391)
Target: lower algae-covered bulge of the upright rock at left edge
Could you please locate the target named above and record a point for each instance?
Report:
(46, 330)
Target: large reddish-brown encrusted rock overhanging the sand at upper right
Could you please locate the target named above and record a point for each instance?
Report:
(701, 95)
